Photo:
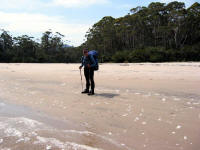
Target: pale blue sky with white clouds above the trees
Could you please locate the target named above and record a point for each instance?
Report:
(72, 18)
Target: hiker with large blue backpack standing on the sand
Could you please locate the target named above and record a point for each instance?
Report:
(89, 63)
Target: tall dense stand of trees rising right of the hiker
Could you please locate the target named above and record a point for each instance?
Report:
(157, 33)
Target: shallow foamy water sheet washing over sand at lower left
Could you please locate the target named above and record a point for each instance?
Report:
(22, 128)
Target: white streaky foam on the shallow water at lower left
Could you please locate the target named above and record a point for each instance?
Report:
(24, 130)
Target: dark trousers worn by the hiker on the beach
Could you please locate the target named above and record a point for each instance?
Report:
(89, 77)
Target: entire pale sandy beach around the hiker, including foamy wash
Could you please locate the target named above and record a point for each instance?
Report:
(136, 107)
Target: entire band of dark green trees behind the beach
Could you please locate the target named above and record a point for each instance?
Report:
(157, 33)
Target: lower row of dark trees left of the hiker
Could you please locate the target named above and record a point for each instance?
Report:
(49, 49)
